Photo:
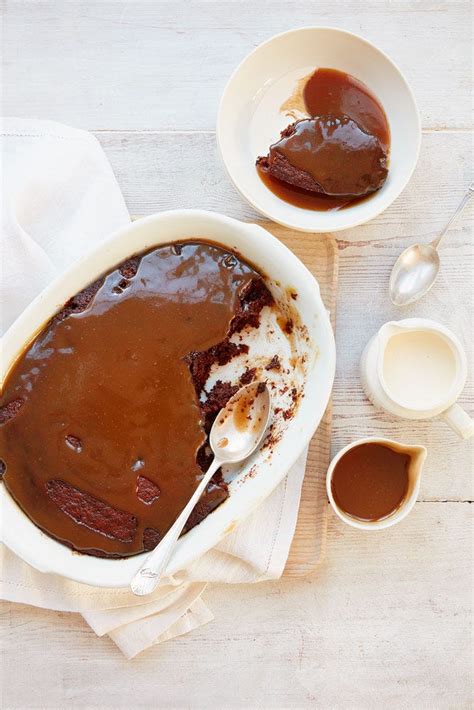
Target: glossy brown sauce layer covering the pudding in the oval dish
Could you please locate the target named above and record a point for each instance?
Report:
(109, 424)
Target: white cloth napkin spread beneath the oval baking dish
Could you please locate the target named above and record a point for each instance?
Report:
(59, 199)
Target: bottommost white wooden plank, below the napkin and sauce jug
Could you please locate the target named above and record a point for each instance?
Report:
(385, 623)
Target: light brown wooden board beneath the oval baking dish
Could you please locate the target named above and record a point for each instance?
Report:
(319, 254)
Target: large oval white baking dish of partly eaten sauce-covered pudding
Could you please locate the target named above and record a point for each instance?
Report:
(114, 374)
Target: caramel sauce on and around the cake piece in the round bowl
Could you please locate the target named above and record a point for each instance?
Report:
(343, 149)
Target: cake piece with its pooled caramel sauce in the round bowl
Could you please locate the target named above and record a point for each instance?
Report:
(337, 149)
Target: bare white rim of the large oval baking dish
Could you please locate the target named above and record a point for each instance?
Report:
(279, 264)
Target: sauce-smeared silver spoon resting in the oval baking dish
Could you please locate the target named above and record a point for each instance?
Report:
(235, 434)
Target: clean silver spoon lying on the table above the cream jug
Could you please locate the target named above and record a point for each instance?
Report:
(417, 267)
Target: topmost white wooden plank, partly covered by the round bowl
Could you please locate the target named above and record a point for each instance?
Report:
(118, 64)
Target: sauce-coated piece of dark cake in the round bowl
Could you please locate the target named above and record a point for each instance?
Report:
(327, 155)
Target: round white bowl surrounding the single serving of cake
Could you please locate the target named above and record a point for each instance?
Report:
(249, 120)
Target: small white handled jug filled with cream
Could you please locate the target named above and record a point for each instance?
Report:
(416, 369)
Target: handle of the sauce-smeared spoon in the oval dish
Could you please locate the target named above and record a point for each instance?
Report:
(150, 573)
